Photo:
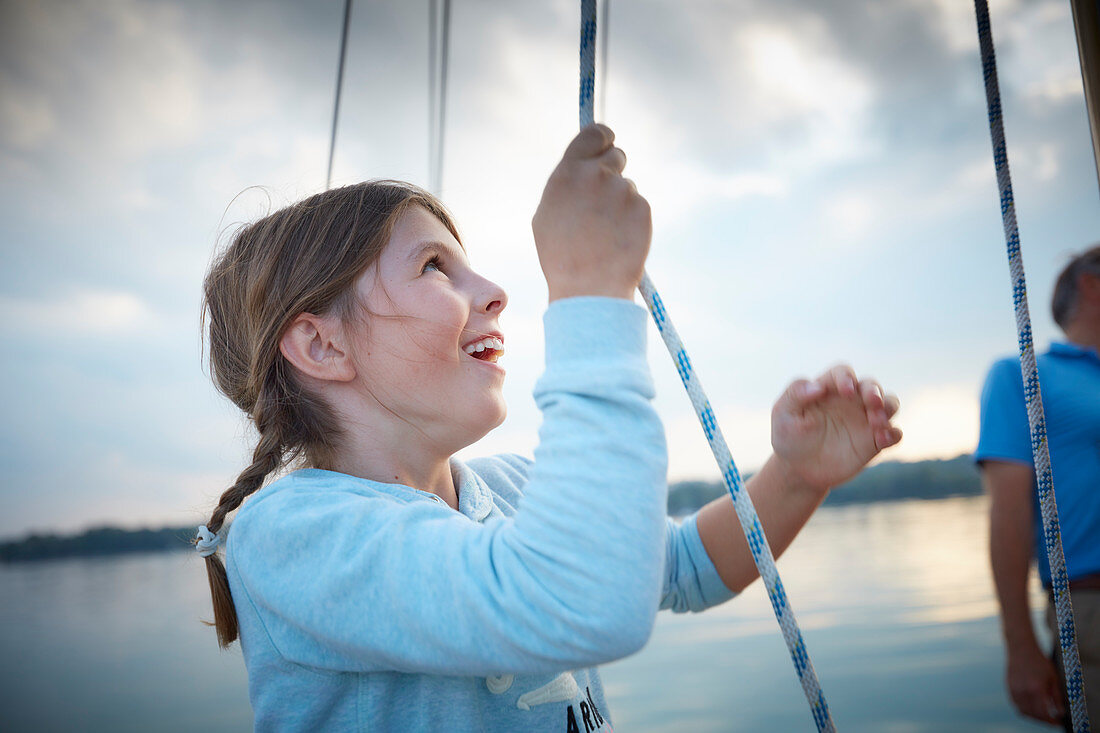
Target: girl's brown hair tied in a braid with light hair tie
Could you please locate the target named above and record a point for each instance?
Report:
(303, 259)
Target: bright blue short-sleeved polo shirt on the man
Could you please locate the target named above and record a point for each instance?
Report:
(1070, 378)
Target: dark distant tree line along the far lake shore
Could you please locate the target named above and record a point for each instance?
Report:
(888, 482)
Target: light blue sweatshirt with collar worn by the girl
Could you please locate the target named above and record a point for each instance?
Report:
(366, 606)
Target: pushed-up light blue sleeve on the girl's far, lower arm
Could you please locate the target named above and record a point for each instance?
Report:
(691, 581)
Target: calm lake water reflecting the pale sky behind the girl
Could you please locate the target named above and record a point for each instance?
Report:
(895, 600)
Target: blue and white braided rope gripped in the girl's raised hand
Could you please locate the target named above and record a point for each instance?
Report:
(746, 513)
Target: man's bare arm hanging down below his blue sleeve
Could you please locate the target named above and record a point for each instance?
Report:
(1030, 675)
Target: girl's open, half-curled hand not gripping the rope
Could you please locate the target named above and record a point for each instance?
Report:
(827, 431)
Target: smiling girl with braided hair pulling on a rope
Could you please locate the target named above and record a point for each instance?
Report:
(388, 586)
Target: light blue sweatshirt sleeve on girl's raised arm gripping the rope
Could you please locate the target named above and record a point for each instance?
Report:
(344, 582)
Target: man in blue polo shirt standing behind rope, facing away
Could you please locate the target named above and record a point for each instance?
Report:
(1070, 377)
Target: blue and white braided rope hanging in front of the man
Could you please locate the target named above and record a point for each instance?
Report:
(1052, 532)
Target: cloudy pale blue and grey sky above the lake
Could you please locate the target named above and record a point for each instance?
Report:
(820, 176)
